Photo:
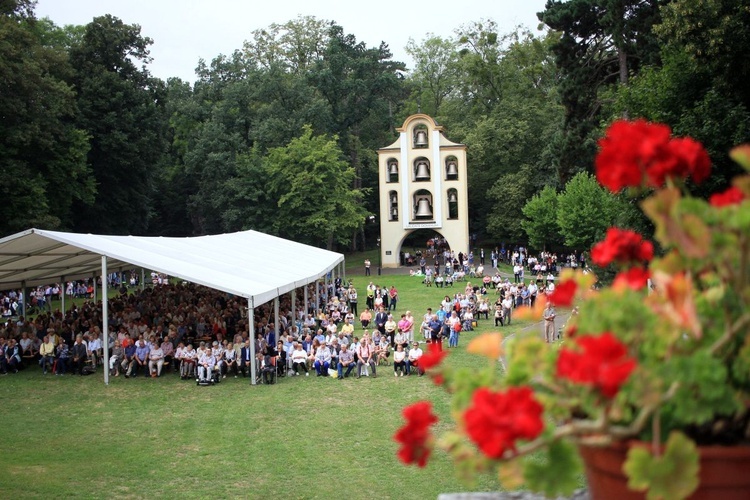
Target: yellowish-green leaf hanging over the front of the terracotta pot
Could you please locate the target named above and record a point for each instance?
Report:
(672, 475)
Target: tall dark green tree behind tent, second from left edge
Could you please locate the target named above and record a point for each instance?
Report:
(121, 108)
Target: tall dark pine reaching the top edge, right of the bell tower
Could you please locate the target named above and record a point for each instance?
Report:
(602, 43)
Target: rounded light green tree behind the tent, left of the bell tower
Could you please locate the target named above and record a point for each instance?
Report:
(312, 183)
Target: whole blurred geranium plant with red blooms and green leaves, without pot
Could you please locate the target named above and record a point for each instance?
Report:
(662, 355)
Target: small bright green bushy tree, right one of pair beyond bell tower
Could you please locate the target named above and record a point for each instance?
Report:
(585, 210)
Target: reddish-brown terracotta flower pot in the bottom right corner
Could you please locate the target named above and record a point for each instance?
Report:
(724, 472)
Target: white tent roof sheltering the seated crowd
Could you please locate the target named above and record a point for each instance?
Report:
(248, 264)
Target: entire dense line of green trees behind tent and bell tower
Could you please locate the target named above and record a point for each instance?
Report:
(280, 136)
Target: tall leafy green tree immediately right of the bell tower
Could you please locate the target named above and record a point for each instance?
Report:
(506, 111)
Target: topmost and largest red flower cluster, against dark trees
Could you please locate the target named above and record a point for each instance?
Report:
(640, 153)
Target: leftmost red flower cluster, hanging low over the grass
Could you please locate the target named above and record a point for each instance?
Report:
(415, 435)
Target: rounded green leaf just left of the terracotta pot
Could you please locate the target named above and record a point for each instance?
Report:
(555, 472)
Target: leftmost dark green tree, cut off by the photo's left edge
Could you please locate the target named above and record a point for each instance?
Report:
(42, 153)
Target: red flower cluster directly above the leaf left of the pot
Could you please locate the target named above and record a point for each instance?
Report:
(496, 420)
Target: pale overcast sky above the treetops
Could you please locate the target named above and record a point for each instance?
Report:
(187, 30)
